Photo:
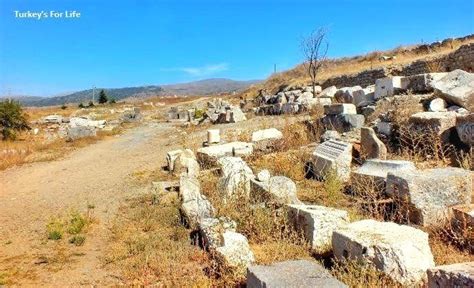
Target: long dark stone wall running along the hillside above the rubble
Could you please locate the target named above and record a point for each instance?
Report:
(462, 58)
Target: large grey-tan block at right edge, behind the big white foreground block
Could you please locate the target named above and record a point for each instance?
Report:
(425, 196)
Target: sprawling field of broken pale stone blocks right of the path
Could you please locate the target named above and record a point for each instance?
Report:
(378, 155)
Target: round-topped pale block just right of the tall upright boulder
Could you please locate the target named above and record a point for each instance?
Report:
(278, 189)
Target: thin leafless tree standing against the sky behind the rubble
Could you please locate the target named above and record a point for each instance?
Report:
(315, 48)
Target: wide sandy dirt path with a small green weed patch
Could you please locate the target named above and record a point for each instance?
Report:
(98, 175)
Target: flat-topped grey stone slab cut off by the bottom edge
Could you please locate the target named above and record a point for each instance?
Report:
(291, 274)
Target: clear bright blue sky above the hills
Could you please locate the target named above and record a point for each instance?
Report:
(132, 43)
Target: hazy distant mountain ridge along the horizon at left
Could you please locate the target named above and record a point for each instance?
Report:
(197, 88)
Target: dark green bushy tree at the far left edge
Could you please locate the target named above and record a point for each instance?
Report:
(12, 119)
